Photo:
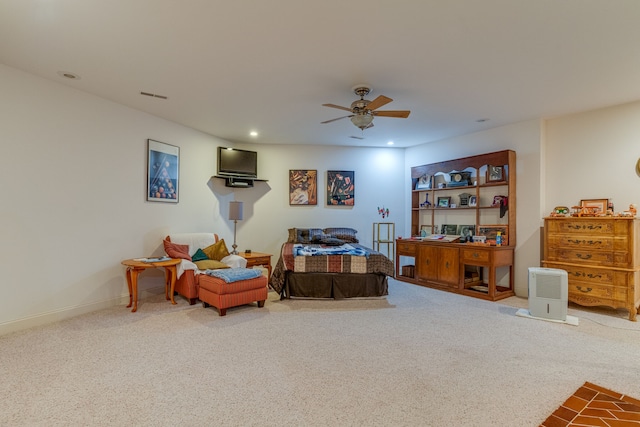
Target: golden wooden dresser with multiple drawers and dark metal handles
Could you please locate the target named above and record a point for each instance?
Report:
(601, 258)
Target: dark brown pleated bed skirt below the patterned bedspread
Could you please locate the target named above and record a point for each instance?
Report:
(334, 285)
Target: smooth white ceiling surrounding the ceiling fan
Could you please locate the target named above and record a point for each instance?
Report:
(229, 67)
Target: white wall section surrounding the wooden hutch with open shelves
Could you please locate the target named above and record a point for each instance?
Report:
(524, 138)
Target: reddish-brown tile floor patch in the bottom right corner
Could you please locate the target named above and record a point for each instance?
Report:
(592, 405)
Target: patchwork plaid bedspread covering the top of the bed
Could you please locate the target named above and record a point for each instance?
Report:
(375, 262)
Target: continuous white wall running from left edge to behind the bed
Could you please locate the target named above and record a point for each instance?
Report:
(73, 175)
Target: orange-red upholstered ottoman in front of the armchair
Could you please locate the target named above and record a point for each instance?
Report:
(222, 295)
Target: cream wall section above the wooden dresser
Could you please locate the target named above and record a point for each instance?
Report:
(592, 155)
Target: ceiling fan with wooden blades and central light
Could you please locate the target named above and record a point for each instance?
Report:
(363, 111)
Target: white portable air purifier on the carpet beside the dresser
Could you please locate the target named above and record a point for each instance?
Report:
(548, 293)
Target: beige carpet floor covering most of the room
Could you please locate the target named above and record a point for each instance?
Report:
(420, 357)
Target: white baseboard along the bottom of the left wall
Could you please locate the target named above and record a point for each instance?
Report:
(69, 312)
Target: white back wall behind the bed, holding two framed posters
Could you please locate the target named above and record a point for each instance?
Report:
(378, 182)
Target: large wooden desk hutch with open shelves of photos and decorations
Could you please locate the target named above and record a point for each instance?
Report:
(463, 217)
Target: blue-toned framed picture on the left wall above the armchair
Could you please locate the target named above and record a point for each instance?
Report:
(163, 172)
